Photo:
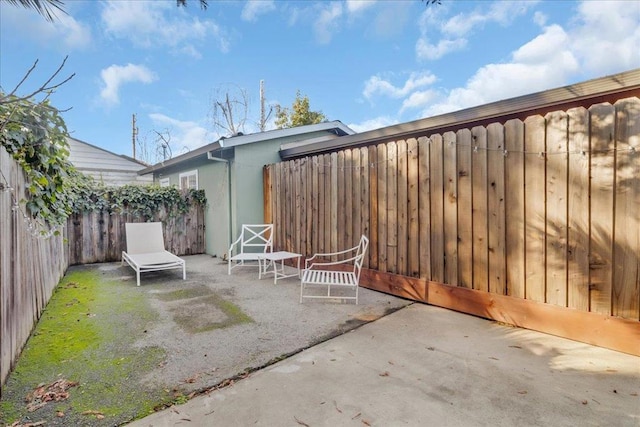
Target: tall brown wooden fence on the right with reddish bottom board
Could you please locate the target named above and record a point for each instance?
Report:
(525, 221)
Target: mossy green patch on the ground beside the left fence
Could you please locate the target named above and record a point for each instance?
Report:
(85, 336)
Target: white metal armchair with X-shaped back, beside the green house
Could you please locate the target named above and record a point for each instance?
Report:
(254, 240)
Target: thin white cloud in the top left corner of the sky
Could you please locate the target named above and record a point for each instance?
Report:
(65, 34)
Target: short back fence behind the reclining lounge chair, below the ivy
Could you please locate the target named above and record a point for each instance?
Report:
(100, 237)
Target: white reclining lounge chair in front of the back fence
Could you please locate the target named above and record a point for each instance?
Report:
(145, 250)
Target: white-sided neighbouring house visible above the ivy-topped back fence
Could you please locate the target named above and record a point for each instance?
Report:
(106, 167)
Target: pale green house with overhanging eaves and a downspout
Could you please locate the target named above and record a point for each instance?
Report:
(230, 172)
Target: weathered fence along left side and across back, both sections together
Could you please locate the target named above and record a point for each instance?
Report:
(31, 266)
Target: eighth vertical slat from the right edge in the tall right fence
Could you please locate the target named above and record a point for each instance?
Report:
(479, 208)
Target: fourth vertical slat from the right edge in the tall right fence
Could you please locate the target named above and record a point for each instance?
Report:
(556, 227)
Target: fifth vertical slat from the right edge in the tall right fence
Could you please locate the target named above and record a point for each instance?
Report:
(535, 201)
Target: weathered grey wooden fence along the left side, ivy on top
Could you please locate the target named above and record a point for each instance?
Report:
(30, 266)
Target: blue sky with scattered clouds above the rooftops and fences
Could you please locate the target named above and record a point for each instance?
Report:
(368, 64)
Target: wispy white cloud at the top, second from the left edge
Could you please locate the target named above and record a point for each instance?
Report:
(159, 24)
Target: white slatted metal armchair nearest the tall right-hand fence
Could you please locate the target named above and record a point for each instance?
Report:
(341, 274)
